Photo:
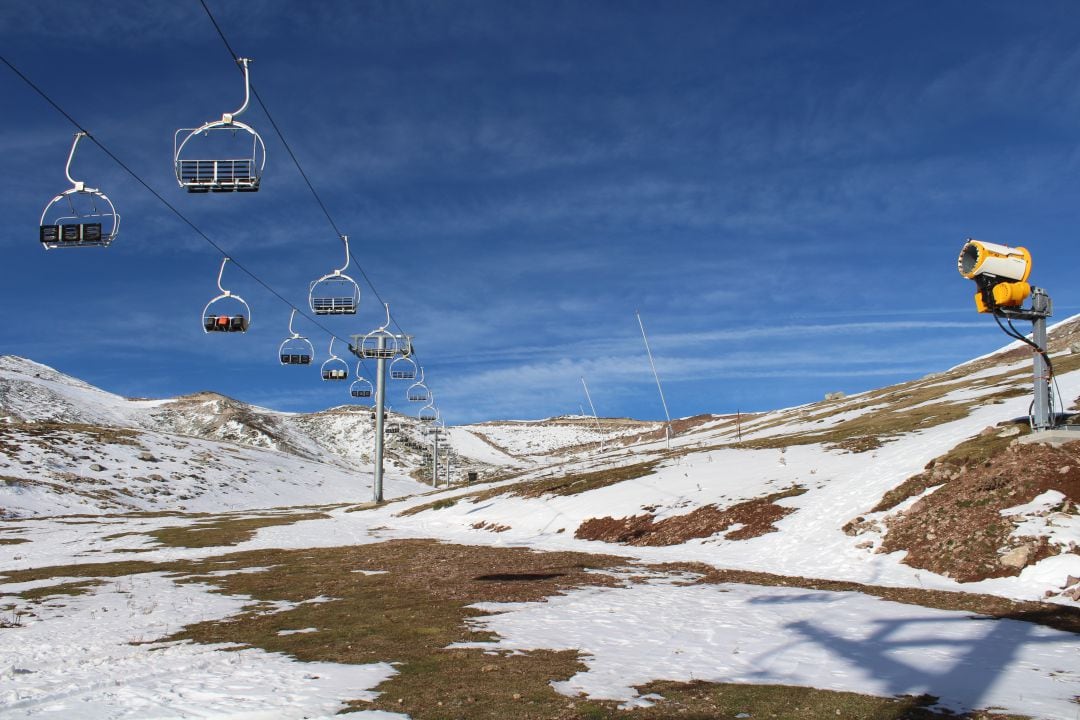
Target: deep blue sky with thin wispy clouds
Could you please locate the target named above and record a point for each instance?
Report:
(780, 188)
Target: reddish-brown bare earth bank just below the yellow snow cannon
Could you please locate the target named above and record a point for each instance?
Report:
(958, 529)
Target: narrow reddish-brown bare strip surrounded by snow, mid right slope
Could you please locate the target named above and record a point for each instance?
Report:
(755, 518)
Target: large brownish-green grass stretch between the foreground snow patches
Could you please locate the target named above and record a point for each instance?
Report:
(411, 613)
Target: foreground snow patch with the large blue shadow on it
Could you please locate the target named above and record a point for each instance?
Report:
(846, 642)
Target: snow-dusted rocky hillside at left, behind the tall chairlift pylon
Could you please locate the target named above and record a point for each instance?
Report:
(70, 447)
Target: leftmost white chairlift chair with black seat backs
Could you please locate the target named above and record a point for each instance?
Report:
(80, 216)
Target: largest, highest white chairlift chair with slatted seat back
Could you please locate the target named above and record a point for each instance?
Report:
(199, 174)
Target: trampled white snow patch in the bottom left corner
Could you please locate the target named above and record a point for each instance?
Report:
(75, 658)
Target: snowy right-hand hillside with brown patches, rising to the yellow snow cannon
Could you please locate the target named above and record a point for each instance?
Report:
(925, 484)
